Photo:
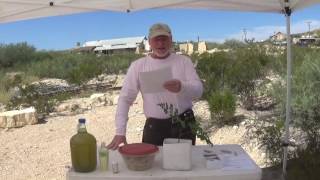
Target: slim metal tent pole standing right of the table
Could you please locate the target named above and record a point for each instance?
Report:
(288, 98)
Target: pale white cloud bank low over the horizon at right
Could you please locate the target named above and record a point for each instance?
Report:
(264, 32)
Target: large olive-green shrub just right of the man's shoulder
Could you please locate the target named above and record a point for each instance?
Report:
(237, 69)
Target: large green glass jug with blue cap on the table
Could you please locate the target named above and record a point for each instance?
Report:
(83, 149)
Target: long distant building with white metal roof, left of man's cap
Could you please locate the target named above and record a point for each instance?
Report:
(115, 46)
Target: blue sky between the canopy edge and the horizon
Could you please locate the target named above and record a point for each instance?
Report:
(62, 32)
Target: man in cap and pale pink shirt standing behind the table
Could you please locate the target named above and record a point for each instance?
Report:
(179, 91)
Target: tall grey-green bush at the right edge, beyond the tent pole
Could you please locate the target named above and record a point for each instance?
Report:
(306, 95)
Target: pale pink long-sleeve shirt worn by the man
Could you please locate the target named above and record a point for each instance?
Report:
(182, 69)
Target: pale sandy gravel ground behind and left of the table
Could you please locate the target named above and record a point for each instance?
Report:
(42, 151)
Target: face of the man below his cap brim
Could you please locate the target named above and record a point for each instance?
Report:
(160, 46)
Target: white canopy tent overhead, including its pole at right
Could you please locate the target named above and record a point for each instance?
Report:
(15, 10)
